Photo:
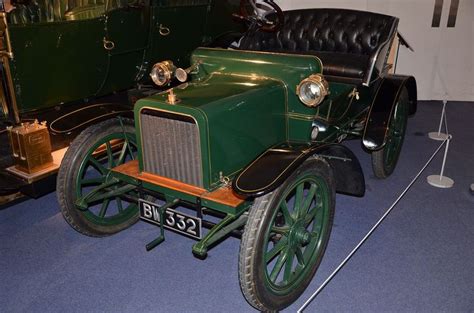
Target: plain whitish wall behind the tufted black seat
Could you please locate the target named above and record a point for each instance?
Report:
(443, 61)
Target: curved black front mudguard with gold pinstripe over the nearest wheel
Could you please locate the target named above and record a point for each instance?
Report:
(275, 165)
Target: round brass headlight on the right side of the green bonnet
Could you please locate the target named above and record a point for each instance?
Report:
(312, 90)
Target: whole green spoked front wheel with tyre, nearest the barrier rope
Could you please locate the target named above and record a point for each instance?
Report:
(286, 236)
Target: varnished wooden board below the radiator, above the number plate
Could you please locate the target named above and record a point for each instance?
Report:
(224, 195)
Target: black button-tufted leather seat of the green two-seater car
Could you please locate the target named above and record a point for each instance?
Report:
(351, 44)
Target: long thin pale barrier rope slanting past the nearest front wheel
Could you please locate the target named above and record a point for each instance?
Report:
(321, 287)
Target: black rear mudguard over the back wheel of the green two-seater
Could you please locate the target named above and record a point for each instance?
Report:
(385, 99)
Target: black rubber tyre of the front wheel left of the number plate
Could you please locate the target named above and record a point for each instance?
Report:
(68, 171)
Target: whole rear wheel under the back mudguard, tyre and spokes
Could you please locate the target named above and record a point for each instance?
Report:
(385, 159)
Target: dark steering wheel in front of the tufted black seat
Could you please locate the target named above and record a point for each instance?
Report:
(265, 15)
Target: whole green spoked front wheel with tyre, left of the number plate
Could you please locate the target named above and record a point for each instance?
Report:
(85, 166)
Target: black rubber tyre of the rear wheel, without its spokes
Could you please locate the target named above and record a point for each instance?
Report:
(380, 166)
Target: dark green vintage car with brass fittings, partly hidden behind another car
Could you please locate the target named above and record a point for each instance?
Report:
(73, 63)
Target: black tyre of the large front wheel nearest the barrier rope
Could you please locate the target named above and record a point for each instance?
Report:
(250, 274)
